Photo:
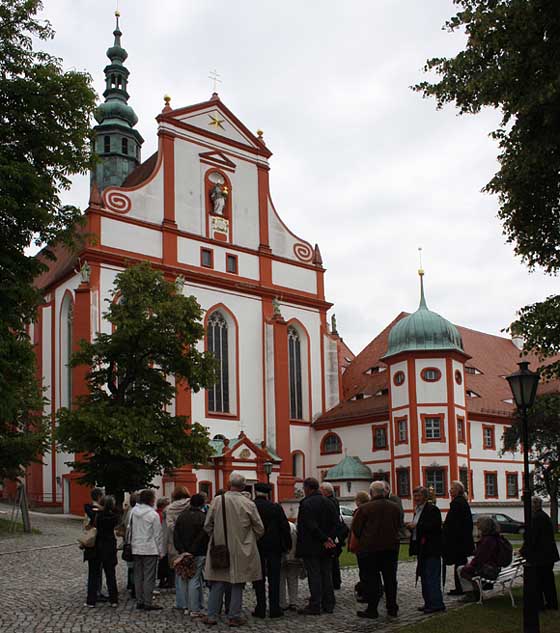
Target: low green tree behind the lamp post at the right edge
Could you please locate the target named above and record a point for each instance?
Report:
(544, 437)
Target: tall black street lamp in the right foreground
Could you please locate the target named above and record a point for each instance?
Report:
(523, 385)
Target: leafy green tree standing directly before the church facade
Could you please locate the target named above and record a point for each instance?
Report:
(123, 429)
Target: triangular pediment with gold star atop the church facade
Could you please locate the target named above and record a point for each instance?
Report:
(213, 118)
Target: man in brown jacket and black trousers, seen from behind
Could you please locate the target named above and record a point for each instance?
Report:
(376, 527)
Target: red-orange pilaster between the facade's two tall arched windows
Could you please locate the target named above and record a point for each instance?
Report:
(285, 480)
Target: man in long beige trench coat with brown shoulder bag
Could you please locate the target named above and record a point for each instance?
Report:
(233, 521)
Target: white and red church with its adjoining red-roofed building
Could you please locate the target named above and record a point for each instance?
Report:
(424, 403)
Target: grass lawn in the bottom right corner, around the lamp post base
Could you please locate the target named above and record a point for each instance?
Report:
(494, 616)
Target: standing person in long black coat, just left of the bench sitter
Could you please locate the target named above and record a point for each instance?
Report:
(458, 542)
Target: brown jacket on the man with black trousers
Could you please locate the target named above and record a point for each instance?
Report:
(376, 526)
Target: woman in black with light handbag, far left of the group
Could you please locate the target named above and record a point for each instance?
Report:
(103, 555)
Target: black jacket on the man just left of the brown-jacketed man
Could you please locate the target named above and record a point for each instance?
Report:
(317, 521)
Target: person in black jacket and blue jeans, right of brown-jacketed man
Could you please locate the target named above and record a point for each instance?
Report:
(425, 543)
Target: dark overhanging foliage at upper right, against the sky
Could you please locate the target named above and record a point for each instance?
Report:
(510, 62)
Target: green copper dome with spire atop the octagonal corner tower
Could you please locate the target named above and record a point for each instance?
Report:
(423, 331)
